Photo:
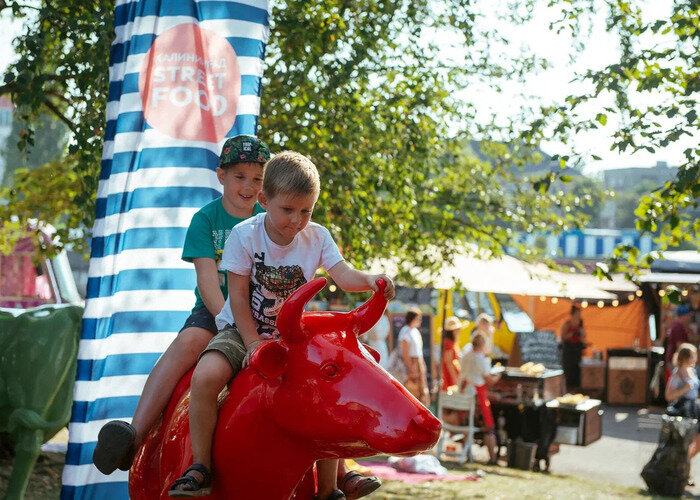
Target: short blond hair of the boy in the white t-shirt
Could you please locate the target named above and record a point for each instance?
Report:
(293, 173)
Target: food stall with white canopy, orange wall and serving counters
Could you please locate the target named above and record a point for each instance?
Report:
(529, 302)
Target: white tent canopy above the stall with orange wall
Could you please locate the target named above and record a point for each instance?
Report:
(512, 276)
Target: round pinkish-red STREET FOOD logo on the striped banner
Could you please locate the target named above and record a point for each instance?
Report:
(190, 84)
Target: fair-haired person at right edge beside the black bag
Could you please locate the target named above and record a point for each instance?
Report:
(682, 390)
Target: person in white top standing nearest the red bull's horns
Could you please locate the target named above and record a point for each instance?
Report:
(411, 352)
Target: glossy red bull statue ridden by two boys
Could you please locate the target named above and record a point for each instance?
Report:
(316, 393)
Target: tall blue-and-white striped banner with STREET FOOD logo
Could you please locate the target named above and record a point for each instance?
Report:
(184, 75)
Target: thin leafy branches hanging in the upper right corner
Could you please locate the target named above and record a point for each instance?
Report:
(651, 91)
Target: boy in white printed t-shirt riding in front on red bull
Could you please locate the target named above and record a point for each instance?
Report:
(267, 257)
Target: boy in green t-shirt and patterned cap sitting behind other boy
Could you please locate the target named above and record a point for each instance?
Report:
(240, 172)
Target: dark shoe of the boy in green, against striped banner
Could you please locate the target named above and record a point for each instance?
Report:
(115, 447)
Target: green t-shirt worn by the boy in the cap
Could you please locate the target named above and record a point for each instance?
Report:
(206, 237)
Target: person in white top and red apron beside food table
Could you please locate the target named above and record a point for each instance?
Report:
(476, 372)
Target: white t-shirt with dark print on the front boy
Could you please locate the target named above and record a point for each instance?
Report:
(275, 271)
